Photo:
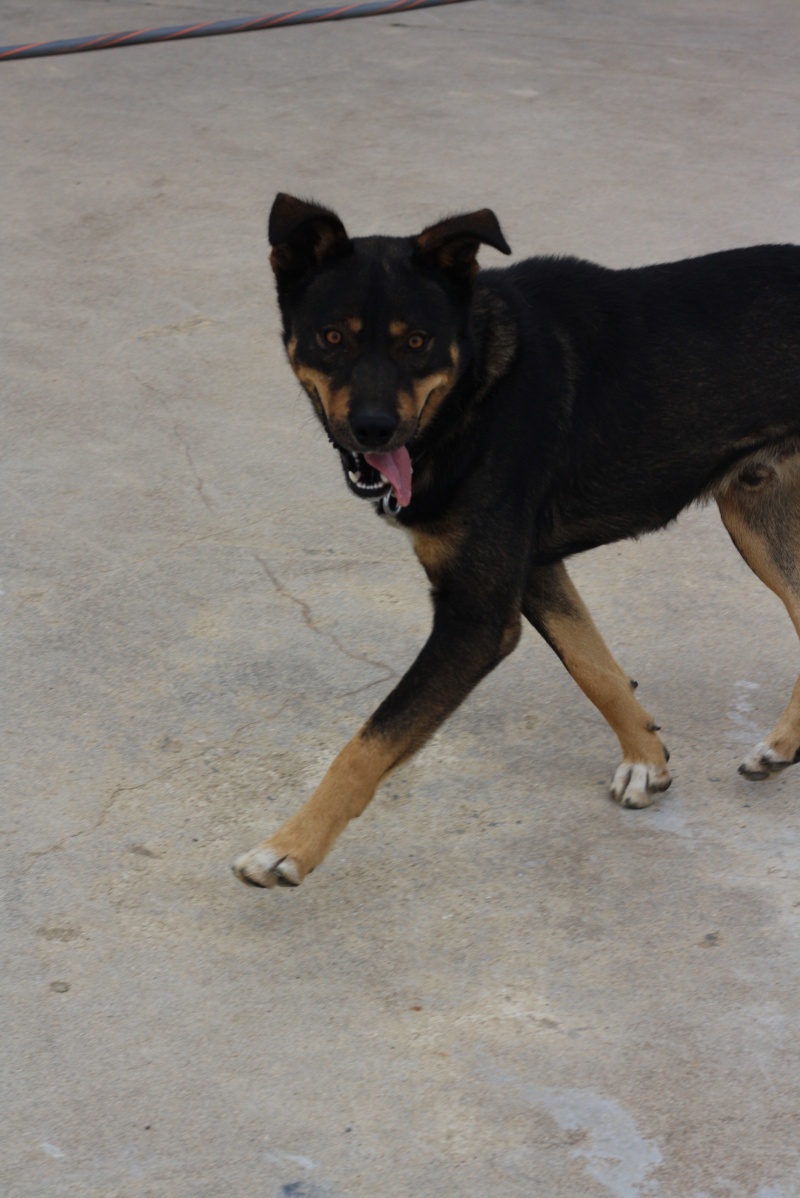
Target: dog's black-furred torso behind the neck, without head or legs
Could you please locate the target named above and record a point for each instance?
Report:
(638, 390)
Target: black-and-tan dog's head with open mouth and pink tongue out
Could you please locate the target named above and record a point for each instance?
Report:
(377, 330)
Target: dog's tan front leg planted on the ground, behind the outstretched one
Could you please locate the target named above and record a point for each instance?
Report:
(557, 612)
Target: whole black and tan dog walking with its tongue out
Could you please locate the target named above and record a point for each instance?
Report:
(510, 419)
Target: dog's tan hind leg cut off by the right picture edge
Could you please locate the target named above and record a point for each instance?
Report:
(761, 510)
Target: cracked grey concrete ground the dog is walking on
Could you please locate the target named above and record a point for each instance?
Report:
(499, 983)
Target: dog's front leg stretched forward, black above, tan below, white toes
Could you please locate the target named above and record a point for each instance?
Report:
(464, 646)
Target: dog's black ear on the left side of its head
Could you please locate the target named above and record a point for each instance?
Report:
(304, 235)
